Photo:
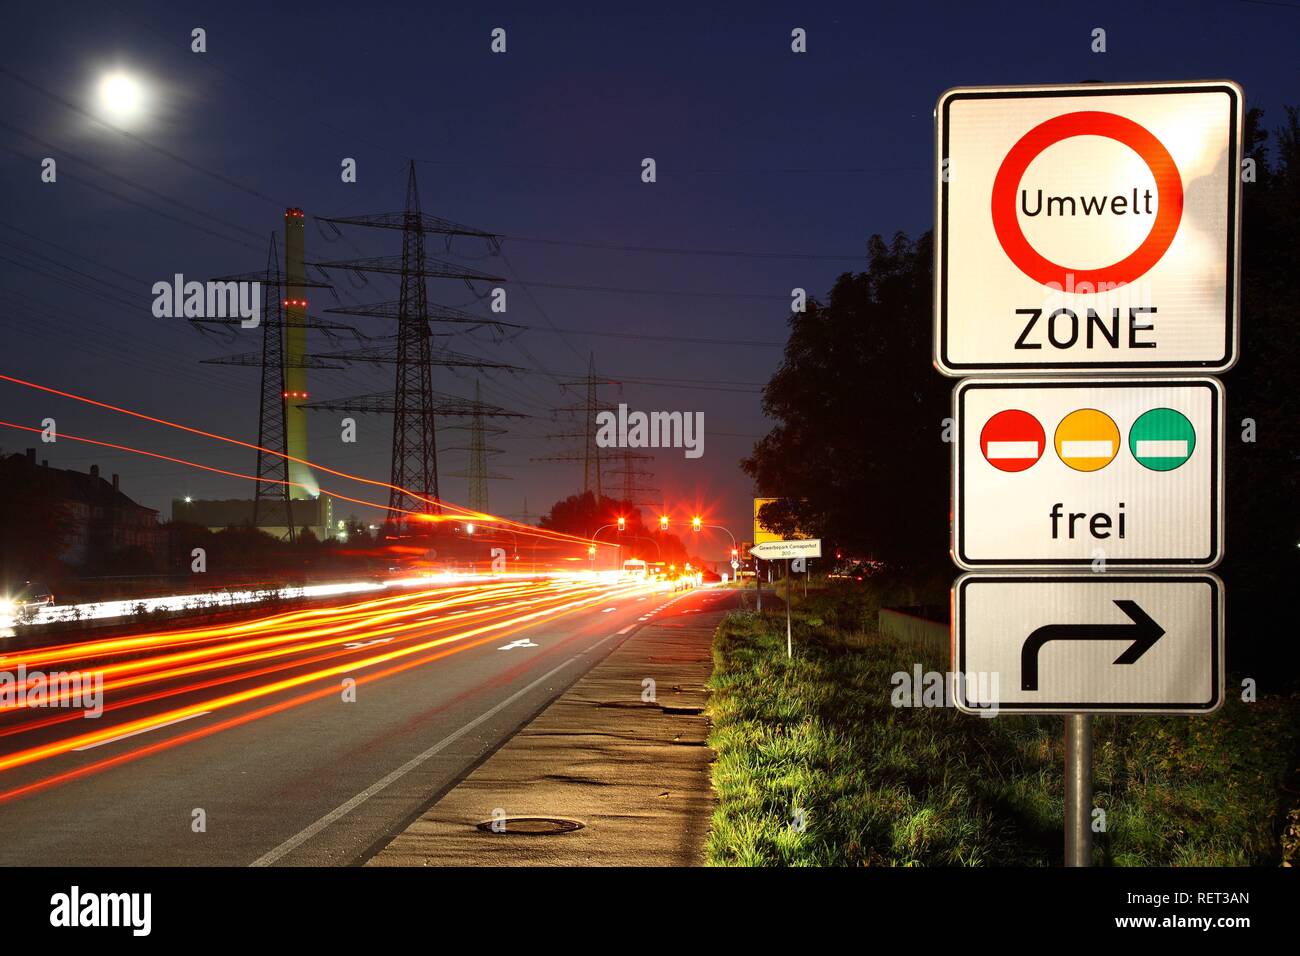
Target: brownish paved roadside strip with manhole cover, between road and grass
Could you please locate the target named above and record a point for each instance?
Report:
(634, 771)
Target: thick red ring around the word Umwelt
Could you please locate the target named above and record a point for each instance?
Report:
(1169, 188)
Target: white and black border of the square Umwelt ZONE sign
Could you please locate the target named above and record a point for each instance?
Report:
(1233, 319)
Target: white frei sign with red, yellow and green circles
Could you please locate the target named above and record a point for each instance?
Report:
(1133, 474)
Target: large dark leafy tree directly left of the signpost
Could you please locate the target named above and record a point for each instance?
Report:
(857, 455)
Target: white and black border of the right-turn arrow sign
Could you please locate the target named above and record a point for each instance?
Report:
(1217, 642)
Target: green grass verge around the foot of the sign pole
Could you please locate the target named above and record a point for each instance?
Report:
(890, 786)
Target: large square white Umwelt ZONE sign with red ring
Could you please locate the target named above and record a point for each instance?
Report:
(1089, 228)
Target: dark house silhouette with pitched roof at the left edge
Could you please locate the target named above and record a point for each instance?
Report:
(103, 522)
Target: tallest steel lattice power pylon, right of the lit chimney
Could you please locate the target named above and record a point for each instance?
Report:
(414, 473)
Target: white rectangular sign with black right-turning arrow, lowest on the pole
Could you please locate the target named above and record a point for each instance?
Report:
(1087, 643)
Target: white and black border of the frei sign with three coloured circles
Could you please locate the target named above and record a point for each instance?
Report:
(956, 539)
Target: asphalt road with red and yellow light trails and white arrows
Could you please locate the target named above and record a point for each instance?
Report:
(305, 738)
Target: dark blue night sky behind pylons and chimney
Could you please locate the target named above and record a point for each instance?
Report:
(760, 152)
